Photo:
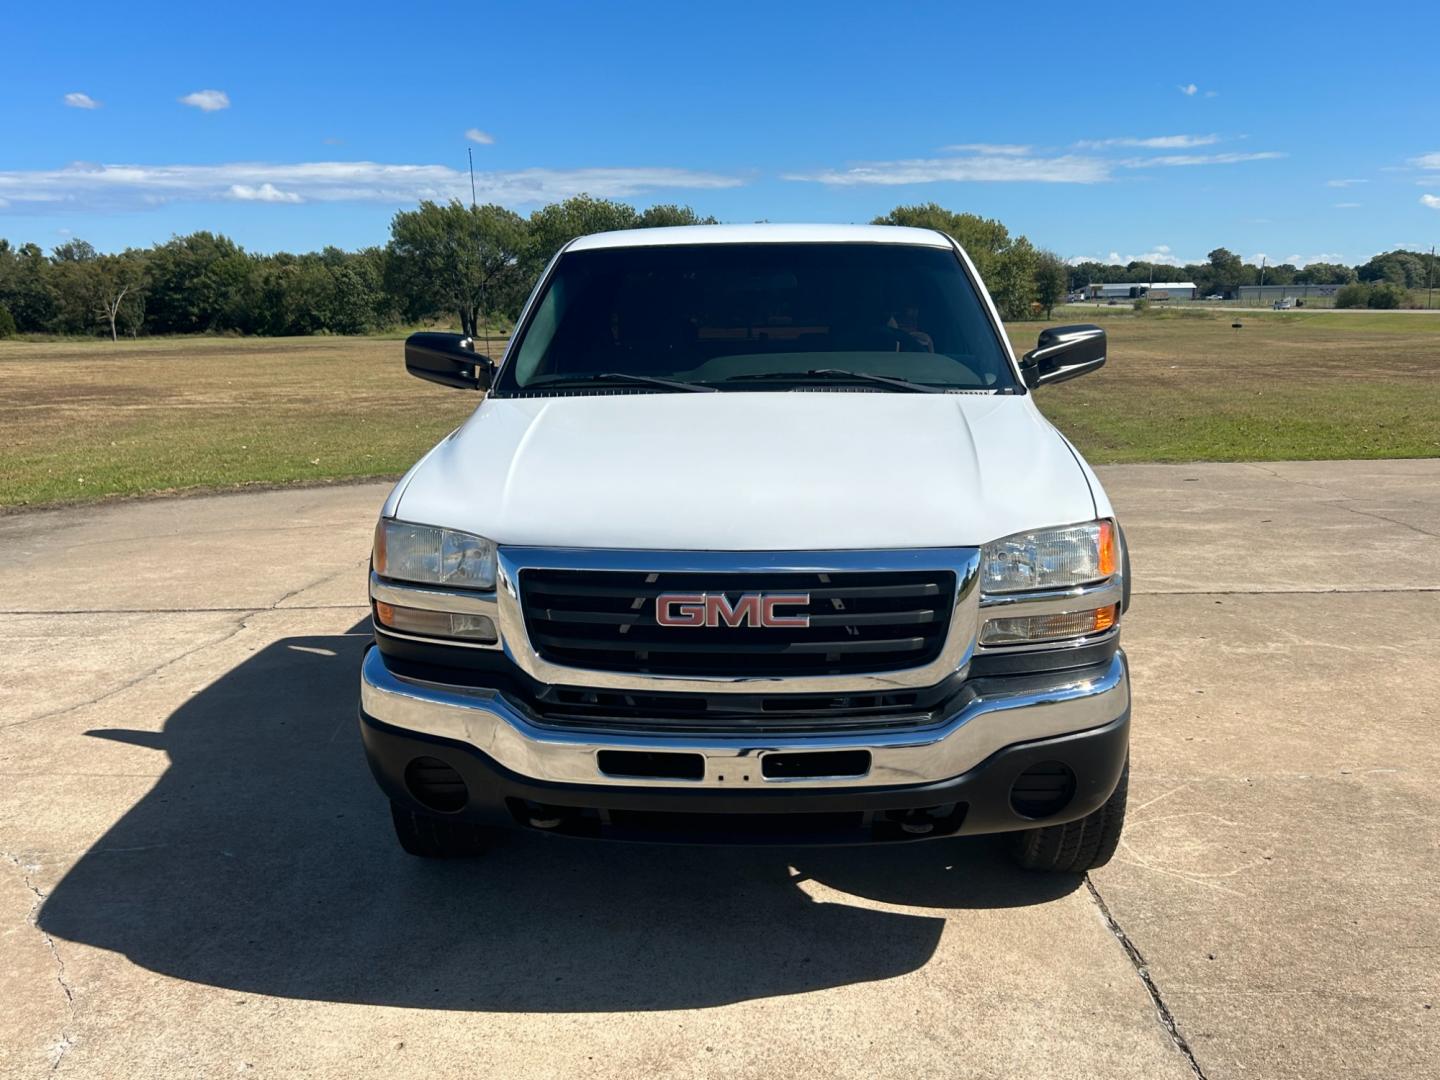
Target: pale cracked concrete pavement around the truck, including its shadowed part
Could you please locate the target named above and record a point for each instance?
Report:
(198, 876)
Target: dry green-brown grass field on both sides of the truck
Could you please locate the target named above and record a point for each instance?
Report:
(89, 420)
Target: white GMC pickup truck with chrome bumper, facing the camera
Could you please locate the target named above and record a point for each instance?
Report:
(758, 536)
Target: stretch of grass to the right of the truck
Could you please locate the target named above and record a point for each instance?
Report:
(1285, 387)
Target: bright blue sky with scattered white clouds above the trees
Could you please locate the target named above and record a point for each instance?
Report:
(1098, 132)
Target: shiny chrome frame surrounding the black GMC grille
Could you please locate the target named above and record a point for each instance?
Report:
(960, 643)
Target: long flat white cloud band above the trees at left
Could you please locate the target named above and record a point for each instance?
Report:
(84, 186)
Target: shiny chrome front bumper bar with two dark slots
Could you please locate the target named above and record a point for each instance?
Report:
(1010, 712)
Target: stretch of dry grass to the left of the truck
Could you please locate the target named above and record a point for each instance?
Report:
(90, 420)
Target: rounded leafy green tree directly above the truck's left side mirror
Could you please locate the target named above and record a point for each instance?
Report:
(457, 258)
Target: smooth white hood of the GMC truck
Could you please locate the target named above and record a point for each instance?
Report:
(750, 472)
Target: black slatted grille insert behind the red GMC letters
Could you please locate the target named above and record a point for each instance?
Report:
(858, 621)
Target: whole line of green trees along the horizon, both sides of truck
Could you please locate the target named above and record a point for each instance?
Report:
(477, 264)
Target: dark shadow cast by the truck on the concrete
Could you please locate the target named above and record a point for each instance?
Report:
(264, 862)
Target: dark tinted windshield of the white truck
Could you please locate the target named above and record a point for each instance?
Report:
(758, 316)
